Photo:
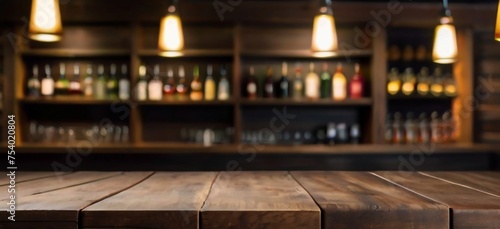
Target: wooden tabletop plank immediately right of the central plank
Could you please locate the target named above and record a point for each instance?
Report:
(347, 197)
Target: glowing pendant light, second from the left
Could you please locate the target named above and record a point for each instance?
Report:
(171, 38)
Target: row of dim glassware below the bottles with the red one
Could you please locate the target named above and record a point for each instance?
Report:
(331, 134)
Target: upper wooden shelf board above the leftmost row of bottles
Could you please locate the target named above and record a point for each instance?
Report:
(76, 52)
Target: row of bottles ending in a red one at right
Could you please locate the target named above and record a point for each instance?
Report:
(314, 86)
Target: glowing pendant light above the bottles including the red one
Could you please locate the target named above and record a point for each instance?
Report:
(324, 37)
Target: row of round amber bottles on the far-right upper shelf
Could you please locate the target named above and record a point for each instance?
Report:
(407, 83)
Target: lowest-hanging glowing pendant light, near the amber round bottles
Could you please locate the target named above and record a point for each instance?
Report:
(445, 49)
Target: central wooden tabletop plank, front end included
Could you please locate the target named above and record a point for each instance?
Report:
(259, 200)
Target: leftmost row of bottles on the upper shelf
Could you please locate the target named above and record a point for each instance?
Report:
(100, 87)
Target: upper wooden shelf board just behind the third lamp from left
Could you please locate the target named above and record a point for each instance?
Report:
(306, 53)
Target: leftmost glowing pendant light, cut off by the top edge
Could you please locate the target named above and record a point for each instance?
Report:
(45, 22)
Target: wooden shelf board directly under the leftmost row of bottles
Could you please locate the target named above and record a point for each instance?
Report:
(71, 100)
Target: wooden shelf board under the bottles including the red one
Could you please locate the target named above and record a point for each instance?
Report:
(306, 102)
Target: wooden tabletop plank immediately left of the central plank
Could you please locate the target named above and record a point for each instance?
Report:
(165, 200)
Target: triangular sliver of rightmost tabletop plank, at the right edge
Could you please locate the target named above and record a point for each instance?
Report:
(488, 182)
